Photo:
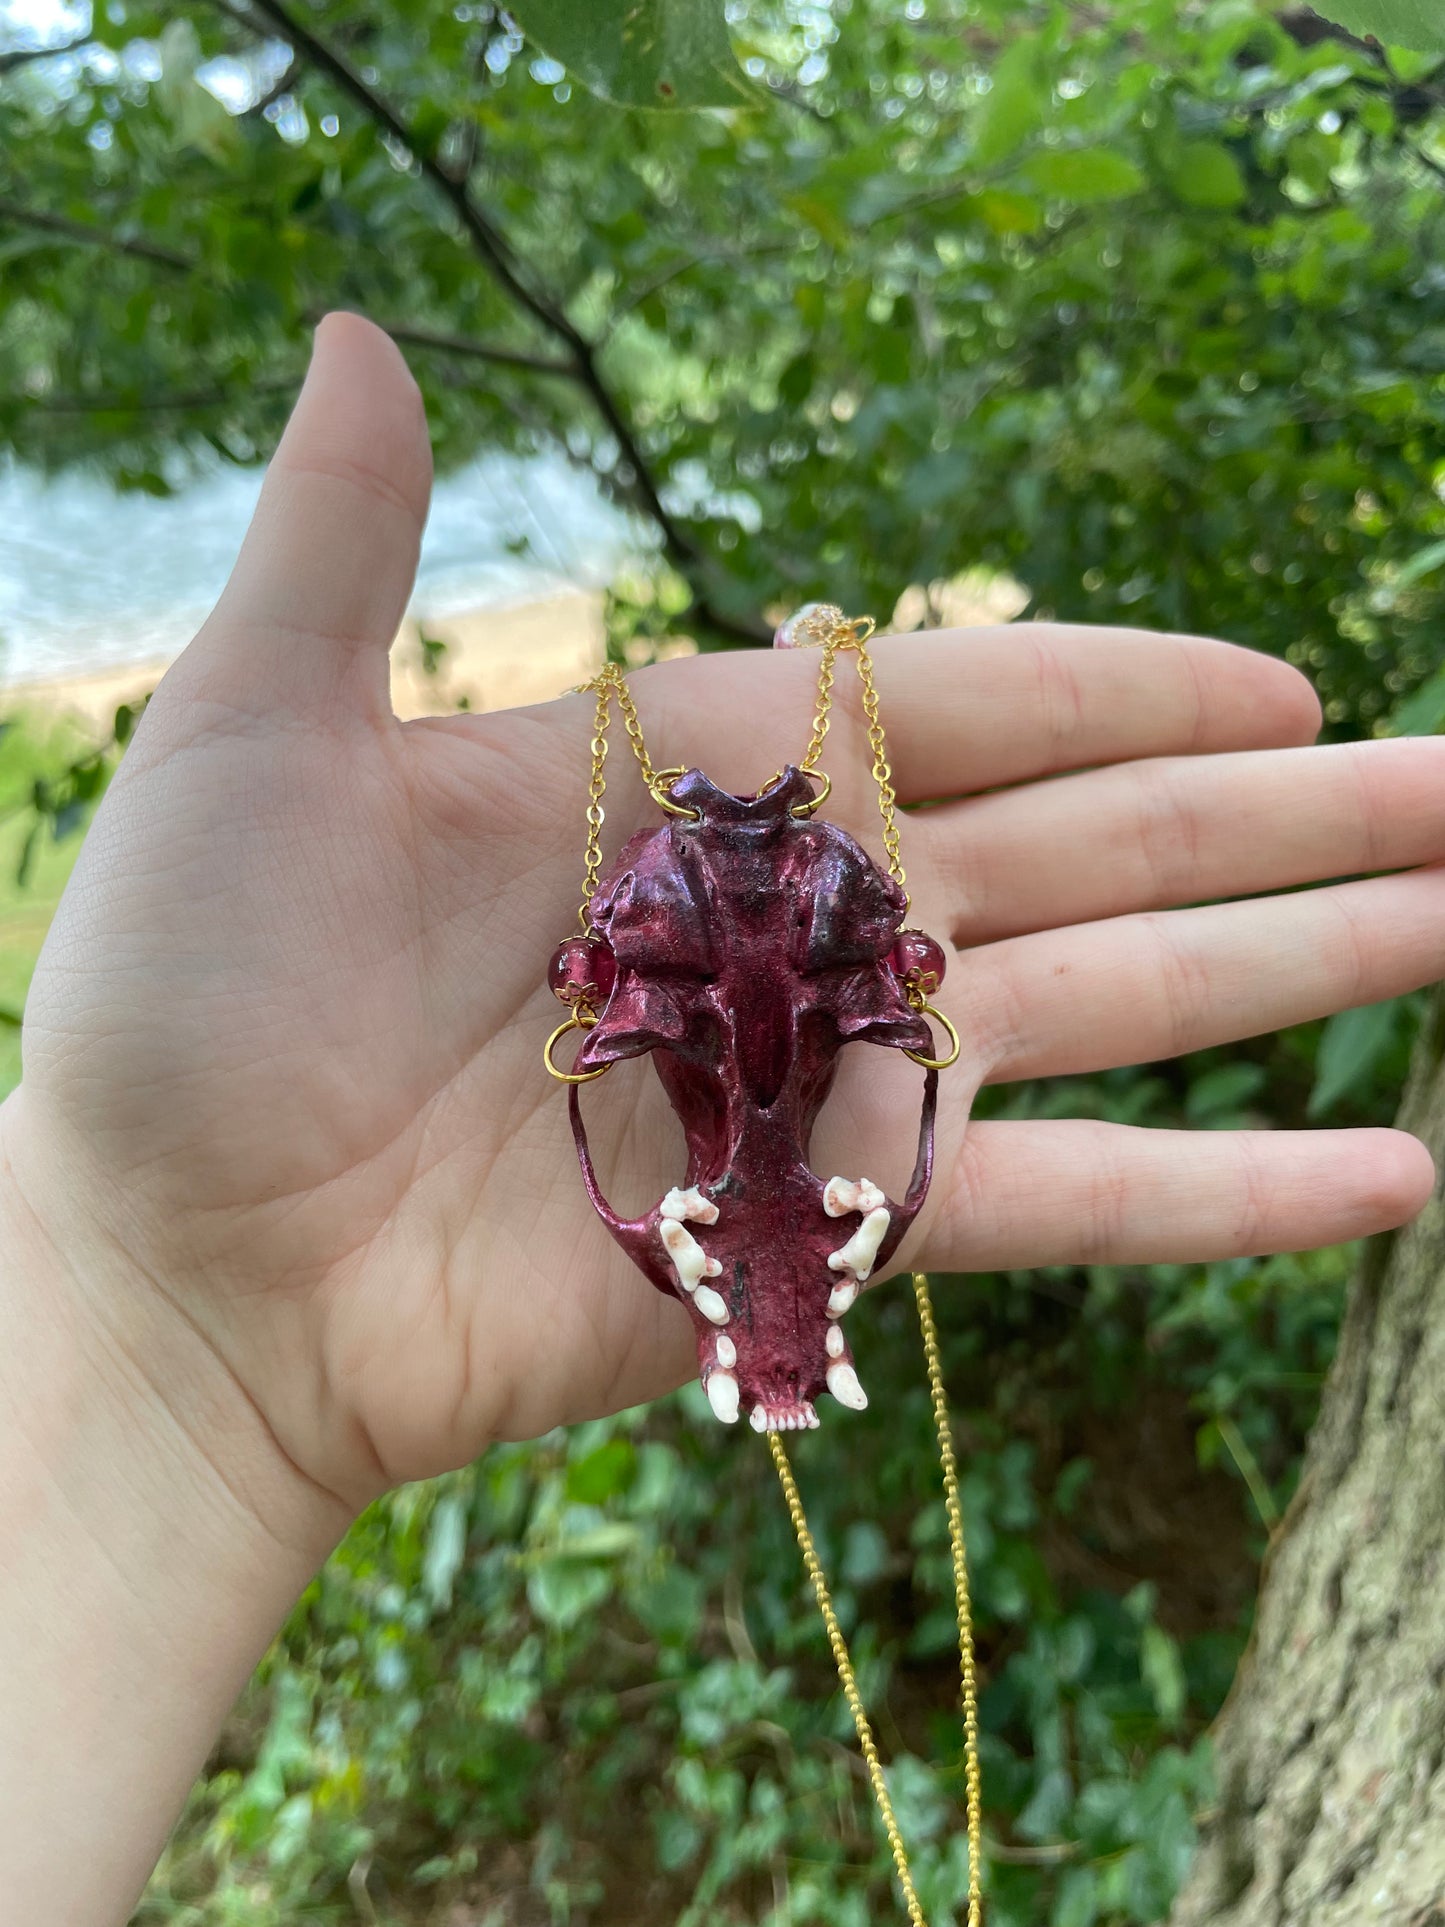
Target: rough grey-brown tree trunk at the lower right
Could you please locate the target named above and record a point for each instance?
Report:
(1332, 1745)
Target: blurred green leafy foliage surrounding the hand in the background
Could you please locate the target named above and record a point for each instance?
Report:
(1140, 305)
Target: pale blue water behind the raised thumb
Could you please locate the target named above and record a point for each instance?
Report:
(97, 581)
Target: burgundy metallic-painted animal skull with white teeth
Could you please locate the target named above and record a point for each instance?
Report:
(752, 943)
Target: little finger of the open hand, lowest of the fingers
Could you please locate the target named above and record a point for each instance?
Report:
(1078, 1192)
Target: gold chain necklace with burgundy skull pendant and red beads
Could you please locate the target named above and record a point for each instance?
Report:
(743, 945)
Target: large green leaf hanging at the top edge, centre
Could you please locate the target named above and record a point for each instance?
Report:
(643, 53)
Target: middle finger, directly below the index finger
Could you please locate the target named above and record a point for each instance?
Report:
(1174, 832)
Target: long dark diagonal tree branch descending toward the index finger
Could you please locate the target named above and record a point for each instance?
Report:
(496, 257)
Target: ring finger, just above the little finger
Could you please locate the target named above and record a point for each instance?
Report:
(1155, 986)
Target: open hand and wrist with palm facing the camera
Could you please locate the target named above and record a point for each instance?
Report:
(290, 1211)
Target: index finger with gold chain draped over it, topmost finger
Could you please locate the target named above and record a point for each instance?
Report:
(974, 708)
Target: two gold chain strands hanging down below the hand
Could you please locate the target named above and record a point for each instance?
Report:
(970, 1677)
